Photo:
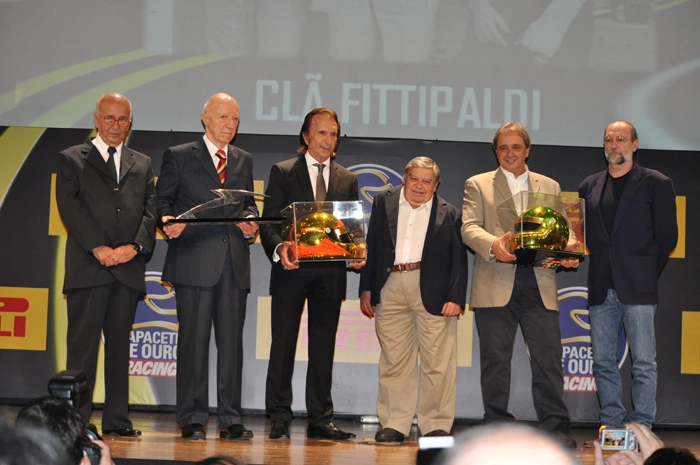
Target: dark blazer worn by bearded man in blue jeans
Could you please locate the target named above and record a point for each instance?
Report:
(644, 234)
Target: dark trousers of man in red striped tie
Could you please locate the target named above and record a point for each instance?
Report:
(224, 306)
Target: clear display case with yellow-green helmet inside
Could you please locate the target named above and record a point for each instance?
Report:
(546, 229)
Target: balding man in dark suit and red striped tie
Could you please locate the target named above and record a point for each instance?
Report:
(209, 267)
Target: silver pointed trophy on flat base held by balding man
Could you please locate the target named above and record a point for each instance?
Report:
(207, 212)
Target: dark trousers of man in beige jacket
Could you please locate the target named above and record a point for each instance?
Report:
(497, 328)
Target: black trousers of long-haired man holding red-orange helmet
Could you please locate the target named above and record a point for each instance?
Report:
(323, 317)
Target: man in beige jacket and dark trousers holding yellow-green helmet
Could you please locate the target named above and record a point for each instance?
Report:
(505, 295)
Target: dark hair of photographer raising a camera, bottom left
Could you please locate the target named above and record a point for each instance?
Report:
(59, 418)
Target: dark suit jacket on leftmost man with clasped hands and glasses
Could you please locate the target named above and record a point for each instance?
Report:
(96, 210)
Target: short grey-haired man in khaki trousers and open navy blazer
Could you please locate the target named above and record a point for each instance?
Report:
(415, 283)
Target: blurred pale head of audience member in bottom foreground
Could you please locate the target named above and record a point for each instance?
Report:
(507, 444)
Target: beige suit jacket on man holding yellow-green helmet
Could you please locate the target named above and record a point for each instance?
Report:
(492, 282)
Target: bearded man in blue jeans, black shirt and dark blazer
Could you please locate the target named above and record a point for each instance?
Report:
(631, 230)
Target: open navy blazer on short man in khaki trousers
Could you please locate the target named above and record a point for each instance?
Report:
(444, 266)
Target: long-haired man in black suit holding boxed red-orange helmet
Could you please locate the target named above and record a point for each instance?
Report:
(322, 284)
